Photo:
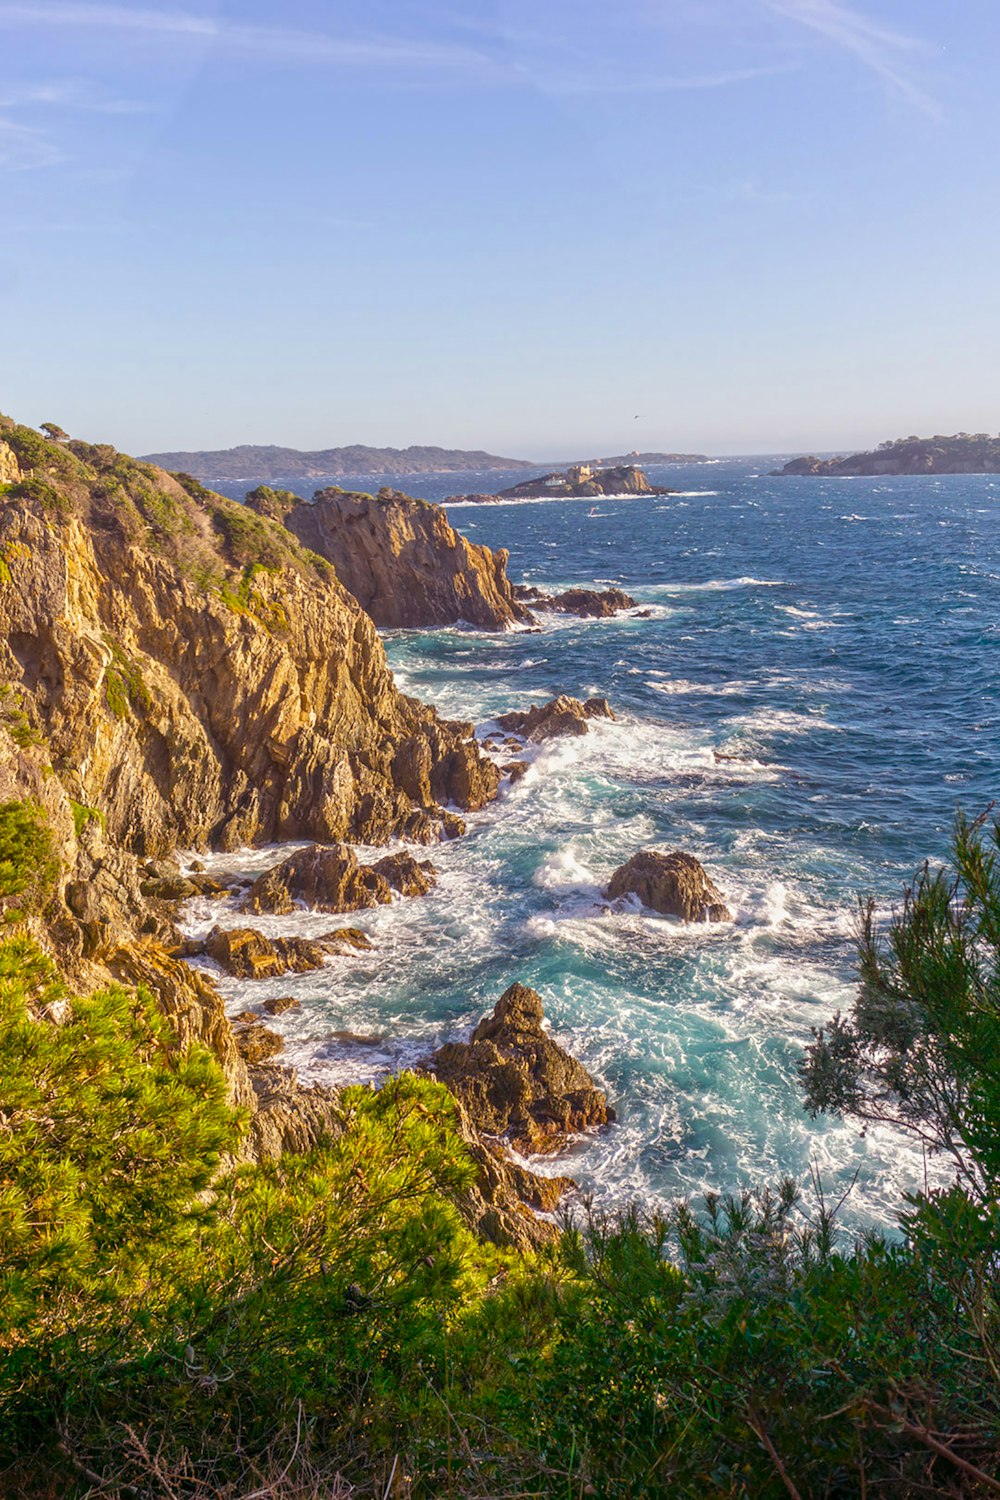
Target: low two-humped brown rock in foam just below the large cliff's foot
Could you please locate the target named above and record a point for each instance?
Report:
(331, 880)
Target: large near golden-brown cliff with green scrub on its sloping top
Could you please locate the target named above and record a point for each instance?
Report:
(202, 679)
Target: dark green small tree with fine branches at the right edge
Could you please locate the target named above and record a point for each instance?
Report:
(921, 1048)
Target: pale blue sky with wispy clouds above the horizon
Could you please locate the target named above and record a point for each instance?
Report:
(542, 227)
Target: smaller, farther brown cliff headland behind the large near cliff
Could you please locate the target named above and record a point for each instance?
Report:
(406, 563)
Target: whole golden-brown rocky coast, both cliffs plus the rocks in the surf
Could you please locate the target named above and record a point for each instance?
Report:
(185, 673)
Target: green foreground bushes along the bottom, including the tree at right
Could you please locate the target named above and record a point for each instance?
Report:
(328, 1325)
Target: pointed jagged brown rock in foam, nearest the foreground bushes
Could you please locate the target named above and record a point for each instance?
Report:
(513, 1081)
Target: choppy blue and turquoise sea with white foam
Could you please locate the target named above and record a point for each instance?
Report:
(836, 644)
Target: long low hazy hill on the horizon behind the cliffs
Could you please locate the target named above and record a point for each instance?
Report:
(271, 463)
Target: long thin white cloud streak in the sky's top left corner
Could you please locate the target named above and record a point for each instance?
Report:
(275, 43)
